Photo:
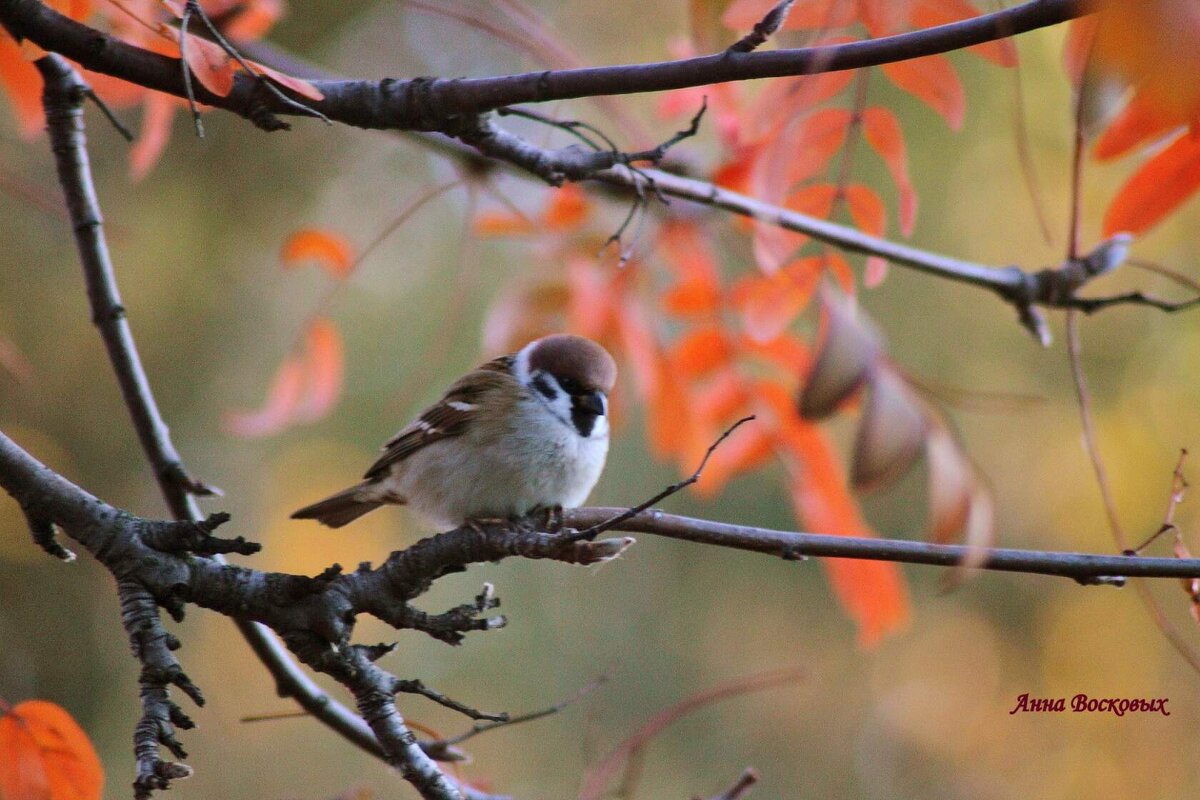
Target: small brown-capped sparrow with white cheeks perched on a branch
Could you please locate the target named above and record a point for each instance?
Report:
(520, 432)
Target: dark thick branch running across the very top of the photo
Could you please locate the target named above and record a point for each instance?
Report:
(443, 105)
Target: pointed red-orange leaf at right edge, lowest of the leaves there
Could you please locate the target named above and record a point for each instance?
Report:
(1156, 190)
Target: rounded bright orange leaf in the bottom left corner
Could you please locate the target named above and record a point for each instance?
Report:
(45, 755)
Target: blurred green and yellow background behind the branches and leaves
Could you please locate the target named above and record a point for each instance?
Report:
(926, 715)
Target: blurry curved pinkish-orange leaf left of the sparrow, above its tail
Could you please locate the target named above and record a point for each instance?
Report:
(305, 388)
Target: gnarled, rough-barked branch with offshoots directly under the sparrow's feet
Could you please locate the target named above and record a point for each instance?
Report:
(315, 617)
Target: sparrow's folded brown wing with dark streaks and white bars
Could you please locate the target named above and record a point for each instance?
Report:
(451, 417)
